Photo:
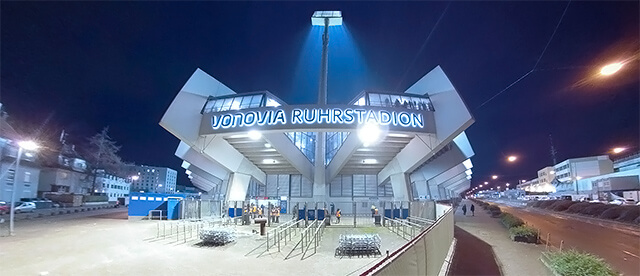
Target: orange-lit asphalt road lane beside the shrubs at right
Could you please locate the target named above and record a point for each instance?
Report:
(621, 249)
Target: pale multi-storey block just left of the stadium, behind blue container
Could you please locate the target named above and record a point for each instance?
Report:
(153, 179)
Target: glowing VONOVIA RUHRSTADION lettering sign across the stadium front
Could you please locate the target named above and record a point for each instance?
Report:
(316, 117)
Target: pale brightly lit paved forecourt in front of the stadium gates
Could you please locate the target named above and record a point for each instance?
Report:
(106, 243)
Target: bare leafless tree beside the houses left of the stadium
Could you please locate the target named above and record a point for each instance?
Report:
(102, 154)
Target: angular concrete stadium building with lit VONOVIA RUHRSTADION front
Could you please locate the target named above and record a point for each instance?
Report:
(401, 146)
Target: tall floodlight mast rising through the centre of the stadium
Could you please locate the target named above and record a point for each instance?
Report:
(326, 19)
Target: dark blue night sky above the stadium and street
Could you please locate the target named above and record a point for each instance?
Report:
(80, 66)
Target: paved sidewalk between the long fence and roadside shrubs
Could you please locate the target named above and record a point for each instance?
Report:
(514, 258)
